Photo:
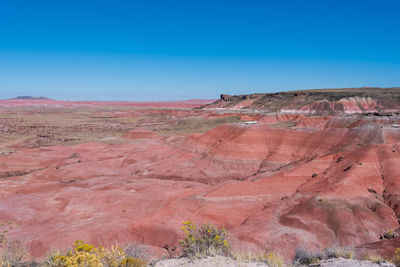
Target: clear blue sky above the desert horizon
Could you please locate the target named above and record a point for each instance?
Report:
(165, 50)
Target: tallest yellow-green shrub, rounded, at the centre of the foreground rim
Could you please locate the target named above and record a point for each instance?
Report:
(204, 240)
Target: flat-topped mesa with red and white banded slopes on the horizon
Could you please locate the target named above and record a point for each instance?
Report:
(316, 101)
